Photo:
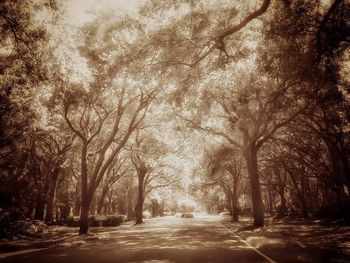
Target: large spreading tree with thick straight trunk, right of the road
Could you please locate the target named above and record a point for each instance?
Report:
(255, 108)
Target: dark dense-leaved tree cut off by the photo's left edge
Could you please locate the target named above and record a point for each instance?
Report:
(22, 72)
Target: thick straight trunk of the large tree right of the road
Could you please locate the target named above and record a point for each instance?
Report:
(252, 165)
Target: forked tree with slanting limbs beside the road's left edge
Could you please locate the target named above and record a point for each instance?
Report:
(106, 110)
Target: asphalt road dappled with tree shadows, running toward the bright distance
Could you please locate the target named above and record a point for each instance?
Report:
(169, 239)
